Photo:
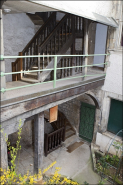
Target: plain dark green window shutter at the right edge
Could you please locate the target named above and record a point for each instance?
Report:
(115, 122)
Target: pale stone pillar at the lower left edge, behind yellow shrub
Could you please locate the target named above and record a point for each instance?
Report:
(3, 152)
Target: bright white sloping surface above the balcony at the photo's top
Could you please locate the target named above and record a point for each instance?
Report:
(104, 8)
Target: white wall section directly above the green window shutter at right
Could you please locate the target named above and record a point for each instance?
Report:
(114, 74)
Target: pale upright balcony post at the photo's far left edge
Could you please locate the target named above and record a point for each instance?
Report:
(2, 62)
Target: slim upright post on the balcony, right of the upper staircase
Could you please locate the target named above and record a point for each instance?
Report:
(85, 61)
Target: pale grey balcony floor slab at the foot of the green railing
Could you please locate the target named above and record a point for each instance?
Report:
(44, 88)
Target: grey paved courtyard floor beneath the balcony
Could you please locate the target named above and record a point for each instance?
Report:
(76, 165)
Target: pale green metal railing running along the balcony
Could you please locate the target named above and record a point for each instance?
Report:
(55, 69)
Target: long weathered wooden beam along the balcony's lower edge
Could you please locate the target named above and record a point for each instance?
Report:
(23, 107)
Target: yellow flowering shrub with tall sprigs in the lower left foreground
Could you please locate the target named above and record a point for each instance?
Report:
(10, 176)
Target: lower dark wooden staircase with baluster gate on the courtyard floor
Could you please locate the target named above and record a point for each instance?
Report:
(62, 131)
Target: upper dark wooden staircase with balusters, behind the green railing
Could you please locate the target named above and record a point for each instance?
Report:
(52, 38)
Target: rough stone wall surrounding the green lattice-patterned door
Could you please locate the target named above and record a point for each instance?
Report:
(71, 109)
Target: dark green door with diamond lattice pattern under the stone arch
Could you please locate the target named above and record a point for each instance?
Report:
(87, 118)
